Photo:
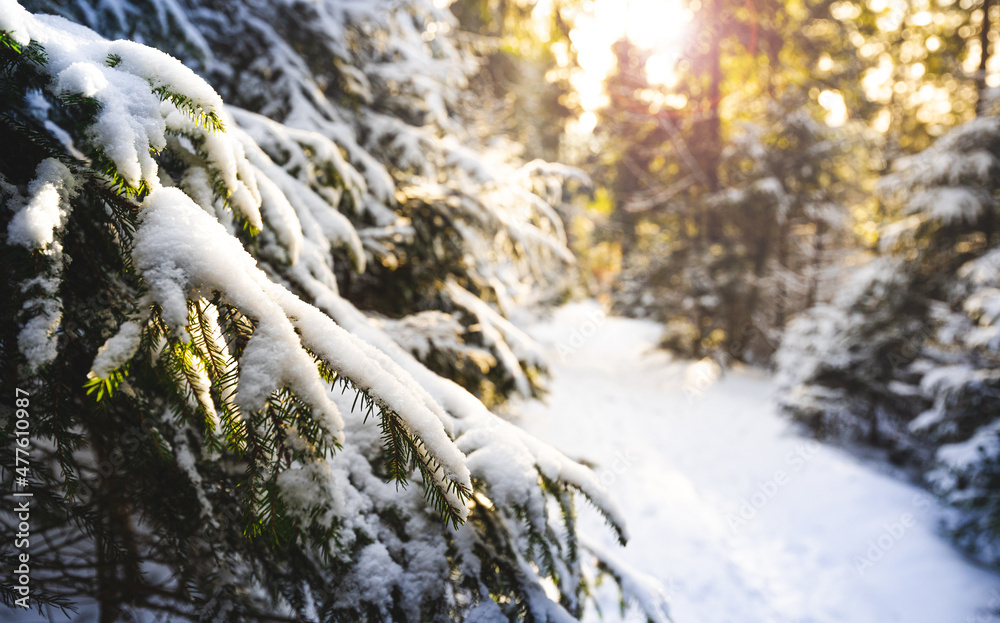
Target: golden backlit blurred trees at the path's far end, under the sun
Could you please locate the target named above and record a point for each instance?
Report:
(737, 156)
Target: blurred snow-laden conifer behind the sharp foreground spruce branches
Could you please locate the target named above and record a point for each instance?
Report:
(371, 96)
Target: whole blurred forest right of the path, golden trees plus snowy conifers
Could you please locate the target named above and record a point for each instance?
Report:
(809, 187)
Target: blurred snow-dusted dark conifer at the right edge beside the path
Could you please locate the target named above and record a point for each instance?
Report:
(906, 357)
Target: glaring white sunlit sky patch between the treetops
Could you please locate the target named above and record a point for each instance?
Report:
(658, 25)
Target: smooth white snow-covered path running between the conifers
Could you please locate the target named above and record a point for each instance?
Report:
(742, 519)
